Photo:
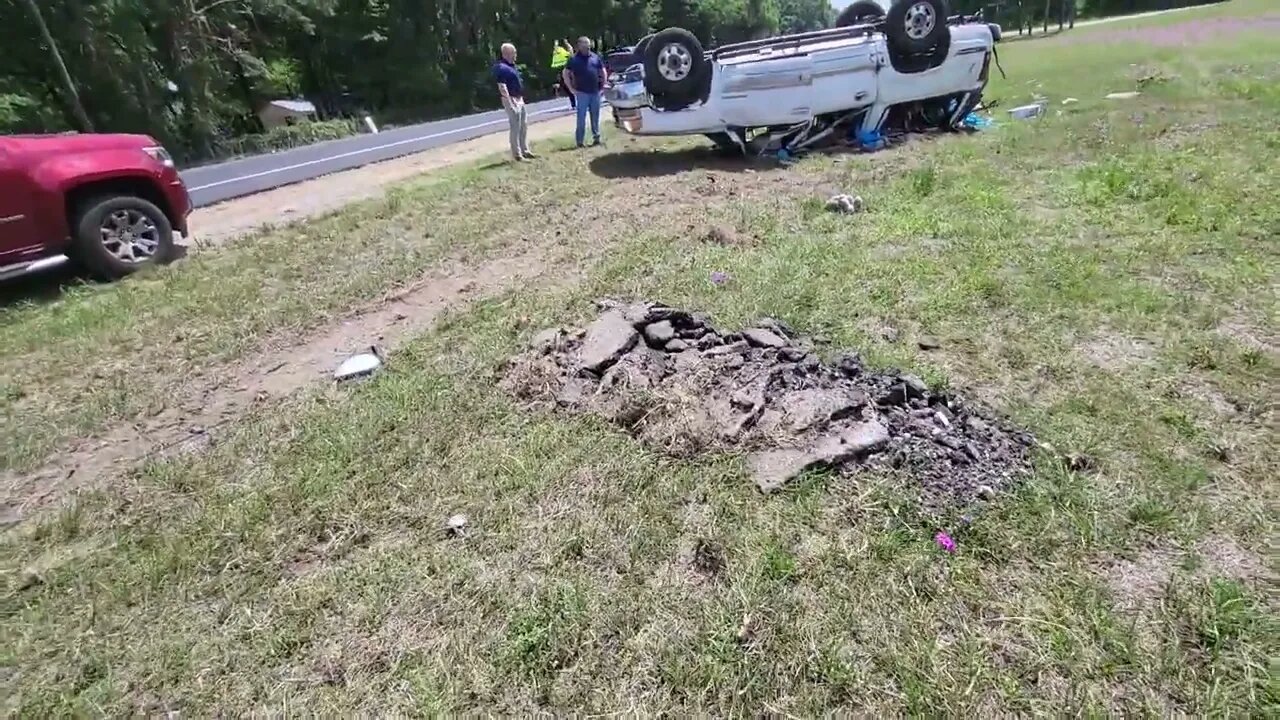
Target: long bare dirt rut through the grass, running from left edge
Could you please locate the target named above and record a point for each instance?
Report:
(221, 395)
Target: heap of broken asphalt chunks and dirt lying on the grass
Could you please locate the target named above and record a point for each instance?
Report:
(685, 388)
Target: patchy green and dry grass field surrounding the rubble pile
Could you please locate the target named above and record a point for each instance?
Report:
(1107, 276)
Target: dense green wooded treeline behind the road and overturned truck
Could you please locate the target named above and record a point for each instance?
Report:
(193, 72)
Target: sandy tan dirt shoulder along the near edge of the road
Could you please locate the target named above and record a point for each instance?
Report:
(218, 224)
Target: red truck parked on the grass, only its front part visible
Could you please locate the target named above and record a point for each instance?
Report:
(109, 203)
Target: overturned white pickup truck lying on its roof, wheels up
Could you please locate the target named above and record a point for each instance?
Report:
(797, 90)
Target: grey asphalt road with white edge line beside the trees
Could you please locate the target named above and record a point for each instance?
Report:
(214, 184)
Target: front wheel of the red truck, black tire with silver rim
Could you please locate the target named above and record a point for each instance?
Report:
(118, 235)
